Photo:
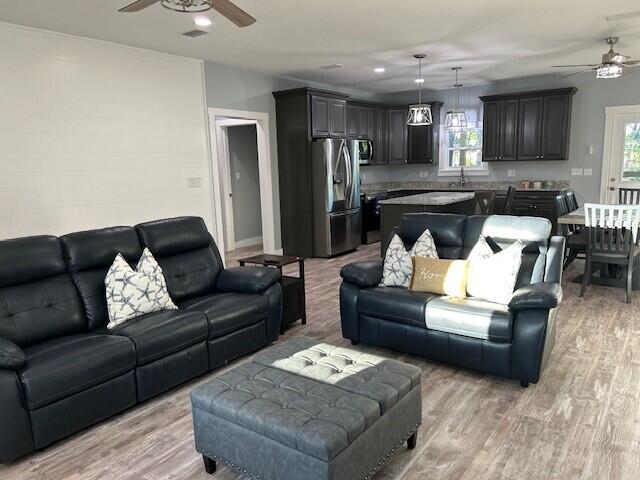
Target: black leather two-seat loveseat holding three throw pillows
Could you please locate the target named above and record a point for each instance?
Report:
(513, 341)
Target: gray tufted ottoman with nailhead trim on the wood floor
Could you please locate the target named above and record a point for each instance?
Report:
(304, 410)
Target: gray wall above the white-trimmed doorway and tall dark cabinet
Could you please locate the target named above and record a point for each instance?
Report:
(239, 89)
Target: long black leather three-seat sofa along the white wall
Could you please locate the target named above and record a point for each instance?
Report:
(61, 370)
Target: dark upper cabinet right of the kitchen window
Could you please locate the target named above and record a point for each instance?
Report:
(527, 126)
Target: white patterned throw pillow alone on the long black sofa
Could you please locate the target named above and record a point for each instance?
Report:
(131, 293)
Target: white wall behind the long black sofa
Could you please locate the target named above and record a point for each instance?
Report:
(94, 134)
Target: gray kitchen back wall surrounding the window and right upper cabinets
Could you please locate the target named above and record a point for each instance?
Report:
(587, 128)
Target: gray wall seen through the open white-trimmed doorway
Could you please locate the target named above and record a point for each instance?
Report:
(245, 182)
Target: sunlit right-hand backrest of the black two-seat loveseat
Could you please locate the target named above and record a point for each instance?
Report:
(502, 230)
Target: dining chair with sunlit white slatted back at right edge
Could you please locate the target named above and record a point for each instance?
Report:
(611, 232)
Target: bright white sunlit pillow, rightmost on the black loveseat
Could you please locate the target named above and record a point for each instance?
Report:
(493, 276)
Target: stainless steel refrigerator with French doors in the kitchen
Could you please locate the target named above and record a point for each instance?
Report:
(336, 198)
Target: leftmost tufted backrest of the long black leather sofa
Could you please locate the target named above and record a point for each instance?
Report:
(38, 300)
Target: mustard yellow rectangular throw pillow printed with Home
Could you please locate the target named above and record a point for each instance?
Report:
(445, 277)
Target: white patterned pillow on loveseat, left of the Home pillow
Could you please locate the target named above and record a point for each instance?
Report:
(398, 267)
